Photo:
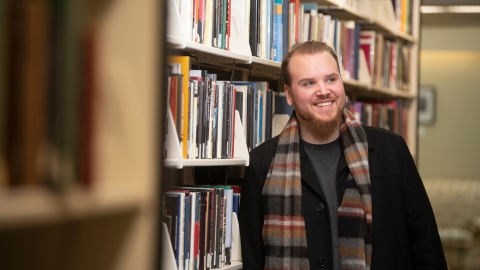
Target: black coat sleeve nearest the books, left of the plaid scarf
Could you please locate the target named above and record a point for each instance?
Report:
(251, 220)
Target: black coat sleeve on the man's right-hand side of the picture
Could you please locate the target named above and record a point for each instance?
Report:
(425, 245)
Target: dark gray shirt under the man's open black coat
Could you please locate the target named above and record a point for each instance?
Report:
(324, 159)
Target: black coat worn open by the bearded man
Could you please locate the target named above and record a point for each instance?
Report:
(405, 234)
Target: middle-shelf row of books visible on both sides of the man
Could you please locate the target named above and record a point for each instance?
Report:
(205, 125)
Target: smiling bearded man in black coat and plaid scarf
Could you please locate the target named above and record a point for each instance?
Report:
(329, 193)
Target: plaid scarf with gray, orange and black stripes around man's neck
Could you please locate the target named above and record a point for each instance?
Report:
(284, 231)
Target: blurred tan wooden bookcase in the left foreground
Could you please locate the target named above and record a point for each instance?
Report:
(109, 223)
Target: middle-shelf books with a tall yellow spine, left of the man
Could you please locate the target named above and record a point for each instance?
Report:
(203, 110)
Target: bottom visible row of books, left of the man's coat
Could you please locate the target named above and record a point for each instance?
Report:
(199, 221)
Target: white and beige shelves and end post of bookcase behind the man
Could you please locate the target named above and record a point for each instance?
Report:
(375, 15)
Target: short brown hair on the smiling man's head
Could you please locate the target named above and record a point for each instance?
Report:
(307, 47)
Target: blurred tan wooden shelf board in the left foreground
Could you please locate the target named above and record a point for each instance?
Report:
(31, 206)
